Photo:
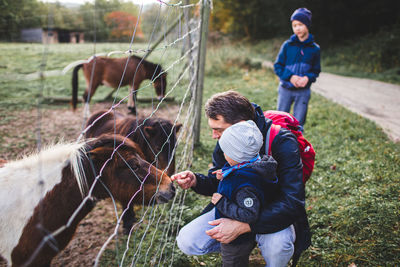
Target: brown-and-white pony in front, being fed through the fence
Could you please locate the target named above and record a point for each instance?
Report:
(40, 194)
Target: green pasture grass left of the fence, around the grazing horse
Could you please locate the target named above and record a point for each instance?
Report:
(18, 60)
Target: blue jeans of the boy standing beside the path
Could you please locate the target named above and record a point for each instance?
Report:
(300, 97)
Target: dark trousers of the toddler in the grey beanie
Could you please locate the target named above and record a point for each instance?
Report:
(237, 254)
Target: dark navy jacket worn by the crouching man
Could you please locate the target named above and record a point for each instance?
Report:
(288, 206)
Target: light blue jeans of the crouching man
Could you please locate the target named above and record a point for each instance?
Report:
(276, 248)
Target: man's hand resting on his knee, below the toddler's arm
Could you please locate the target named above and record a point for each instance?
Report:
(227, 230)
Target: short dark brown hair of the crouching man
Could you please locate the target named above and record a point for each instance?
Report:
(231, 105)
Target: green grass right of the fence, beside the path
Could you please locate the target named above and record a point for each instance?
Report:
(353, 195)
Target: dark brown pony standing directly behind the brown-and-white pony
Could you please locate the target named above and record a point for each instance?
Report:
(155, 136)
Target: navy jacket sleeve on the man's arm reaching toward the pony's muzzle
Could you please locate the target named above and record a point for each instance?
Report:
(208, 184)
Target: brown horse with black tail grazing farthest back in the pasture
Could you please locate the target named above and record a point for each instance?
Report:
(116, 72)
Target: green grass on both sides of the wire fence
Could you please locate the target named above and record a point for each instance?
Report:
(352, 197)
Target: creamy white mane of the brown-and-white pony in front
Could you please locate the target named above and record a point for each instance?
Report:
(53, 153)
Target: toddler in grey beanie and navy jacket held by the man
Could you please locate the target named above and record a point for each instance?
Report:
(246, 181)
